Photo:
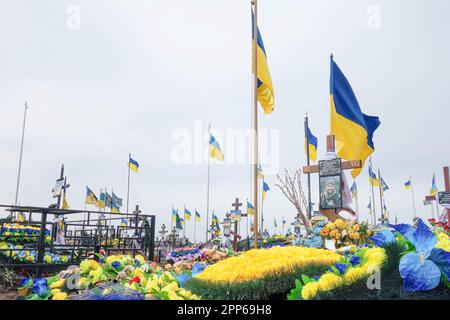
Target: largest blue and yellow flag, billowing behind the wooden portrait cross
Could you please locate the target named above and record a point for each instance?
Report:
(352, 129)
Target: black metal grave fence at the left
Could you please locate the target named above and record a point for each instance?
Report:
(69, 240)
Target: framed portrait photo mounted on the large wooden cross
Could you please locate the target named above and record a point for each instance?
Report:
(330, 192)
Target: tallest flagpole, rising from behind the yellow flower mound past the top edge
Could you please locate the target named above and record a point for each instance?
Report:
(255, 119)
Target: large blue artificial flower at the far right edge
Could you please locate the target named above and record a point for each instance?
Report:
(421, 270)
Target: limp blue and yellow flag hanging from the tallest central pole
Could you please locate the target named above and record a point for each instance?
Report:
(265, 92)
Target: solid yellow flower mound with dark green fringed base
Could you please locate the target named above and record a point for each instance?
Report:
(260, 273)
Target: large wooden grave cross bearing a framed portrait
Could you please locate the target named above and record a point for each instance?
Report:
(331, 213)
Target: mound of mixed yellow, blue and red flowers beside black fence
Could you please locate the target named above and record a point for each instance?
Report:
(134, 277)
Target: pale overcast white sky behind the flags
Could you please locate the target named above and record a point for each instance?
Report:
(138, 71)
